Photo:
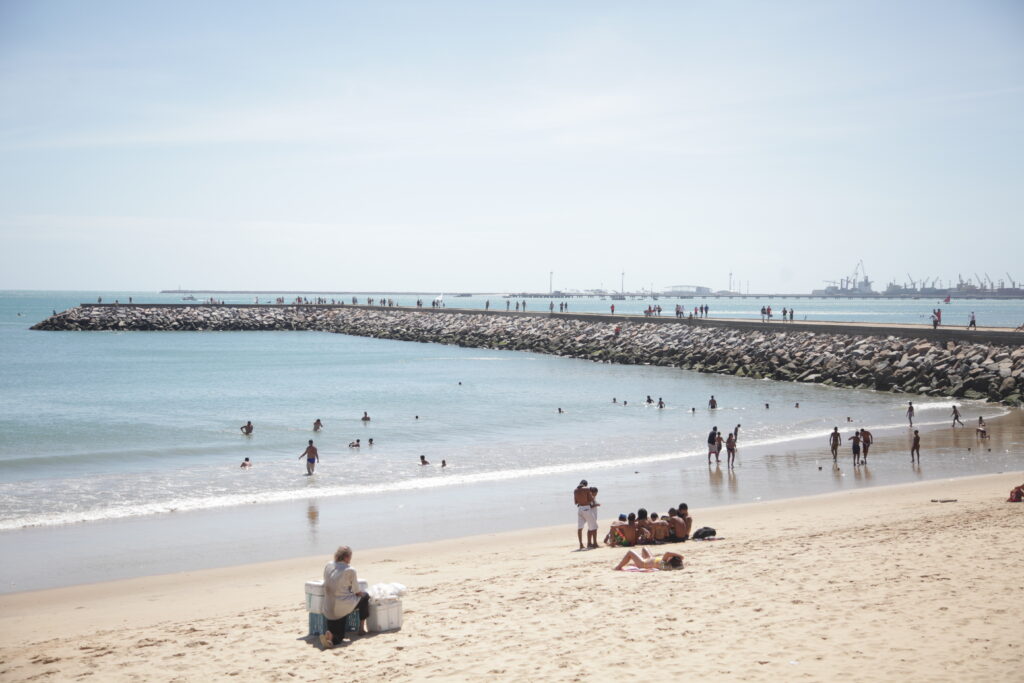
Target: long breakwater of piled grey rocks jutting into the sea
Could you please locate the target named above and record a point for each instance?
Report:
(900, 365)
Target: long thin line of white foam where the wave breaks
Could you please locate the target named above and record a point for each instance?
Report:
(197, 504)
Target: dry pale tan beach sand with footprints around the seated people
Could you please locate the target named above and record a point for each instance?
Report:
(878, 584)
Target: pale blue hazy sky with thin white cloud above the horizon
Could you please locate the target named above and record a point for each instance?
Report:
(484, 147)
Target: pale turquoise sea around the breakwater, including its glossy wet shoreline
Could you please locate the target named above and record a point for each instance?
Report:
(115, 446)
